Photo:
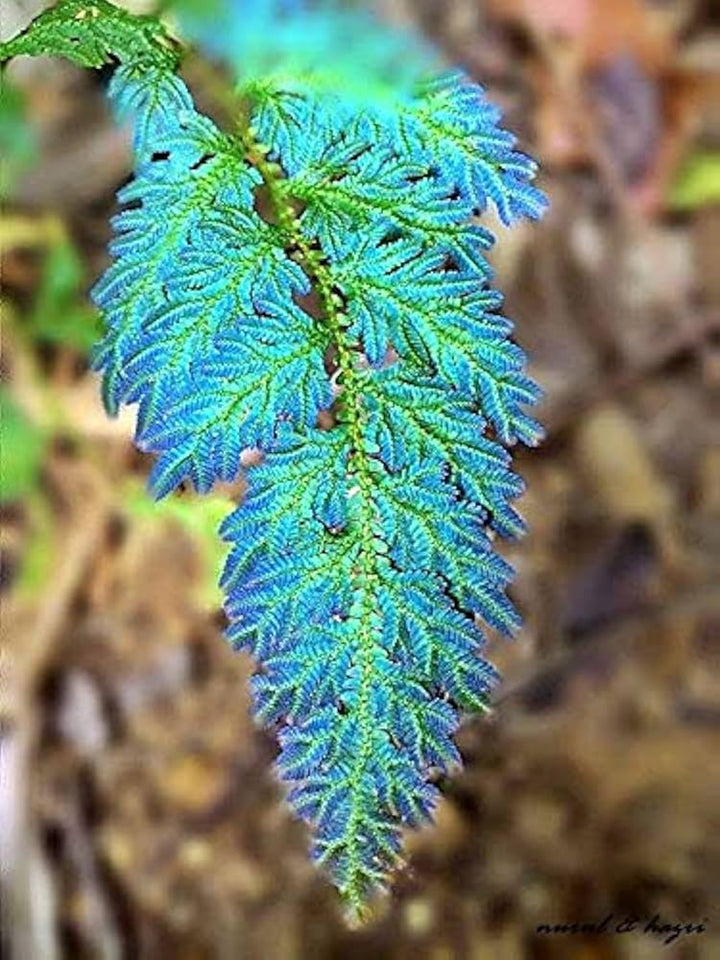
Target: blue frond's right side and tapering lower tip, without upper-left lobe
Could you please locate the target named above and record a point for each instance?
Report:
(385, 589)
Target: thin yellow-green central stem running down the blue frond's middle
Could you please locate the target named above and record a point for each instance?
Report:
(365, 572)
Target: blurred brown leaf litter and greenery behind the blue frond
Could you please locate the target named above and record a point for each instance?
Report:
(139, 816)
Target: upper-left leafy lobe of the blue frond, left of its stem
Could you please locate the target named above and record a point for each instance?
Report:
(203, 331)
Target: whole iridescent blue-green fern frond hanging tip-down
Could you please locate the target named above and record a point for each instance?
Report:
(313, 285)
